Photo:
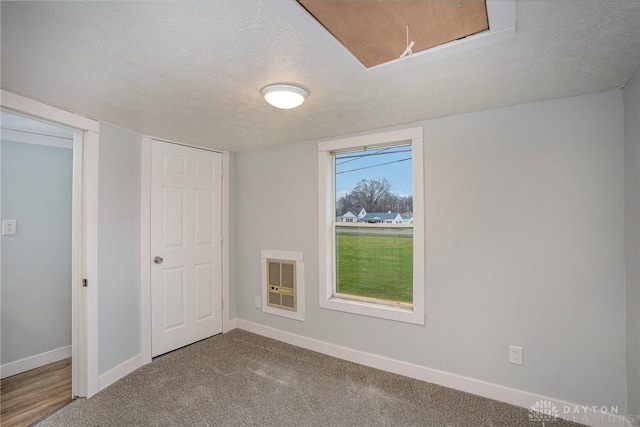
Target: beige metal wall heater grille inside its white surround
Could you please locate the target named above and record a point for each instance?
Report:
(281, 286)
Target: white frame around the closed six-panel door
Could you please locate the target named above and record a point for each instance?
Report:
(145, 243)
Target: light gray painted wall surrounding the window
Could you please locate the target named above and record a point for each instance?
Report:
(524, 246)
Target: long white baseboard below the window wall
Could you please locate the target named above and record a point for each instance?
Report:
(583, 414)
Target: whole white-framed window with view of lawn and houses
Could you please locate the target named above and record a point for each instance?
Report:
(372, 226)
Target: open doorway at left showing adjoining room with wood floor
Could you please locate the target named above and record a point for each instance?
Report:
(36, 201)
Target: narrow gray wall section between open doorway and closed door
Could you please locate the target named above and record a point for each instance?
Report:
(118, 247)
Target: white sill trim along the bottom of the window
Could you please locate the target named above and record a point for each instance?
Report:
(382, 311)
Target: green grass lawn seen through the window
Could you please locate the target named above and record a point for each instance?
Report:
(375, 266)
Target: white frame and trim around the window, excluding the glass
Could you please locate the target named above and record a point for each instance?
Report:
(326, 199)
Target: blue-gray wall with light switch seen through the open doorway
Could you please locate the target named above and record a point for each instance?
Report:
(36, 263)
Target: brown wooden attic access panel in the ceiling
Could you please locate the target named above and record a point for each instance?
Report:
(375, 31)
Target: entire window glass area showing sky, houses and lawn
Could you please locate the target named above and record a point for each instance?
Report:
(374, 186)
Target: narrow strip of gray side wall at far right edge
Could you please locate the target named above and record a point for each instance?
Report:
(632, 228)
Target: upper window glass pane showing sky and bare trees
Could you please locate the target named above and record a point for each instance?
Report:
(374, 185)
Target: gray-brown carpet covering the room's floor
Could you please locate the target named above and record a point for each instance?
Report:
(242, 379)
